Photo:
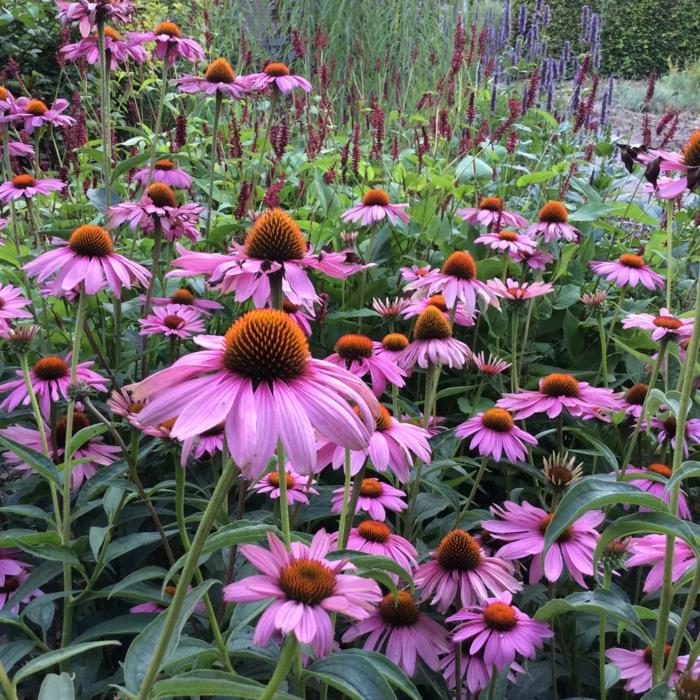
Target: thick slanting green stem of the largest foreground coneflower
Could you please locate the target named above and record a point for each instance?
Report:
(217, 499)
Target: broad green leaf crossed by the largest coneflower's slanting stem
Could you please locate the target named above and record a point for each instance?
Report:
(141, 650)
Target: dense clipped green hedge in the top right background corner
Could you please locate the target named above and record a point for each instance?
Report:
(638, 35)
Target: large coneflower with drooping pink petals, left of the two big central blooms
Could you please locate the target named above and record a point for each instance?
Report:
(87, 258)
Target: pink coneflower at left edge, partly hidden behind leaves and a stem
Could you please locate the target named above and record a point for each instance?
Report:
(87, 458)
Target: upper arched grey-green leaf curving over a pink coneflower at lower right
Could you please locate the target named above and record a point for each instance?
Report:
(595, 492)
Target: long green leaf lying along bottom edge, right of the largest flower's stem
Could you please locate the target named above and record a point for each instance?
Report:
(197, 683)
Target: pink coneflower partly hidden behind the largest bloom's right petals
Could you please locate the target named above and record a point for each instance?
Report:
(393, 445)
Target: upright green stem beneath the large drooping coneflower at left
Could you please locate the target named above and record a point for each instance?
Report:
(66, 517)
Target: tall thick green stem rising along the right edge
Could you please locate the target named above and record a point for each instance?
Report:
(688, 371)
